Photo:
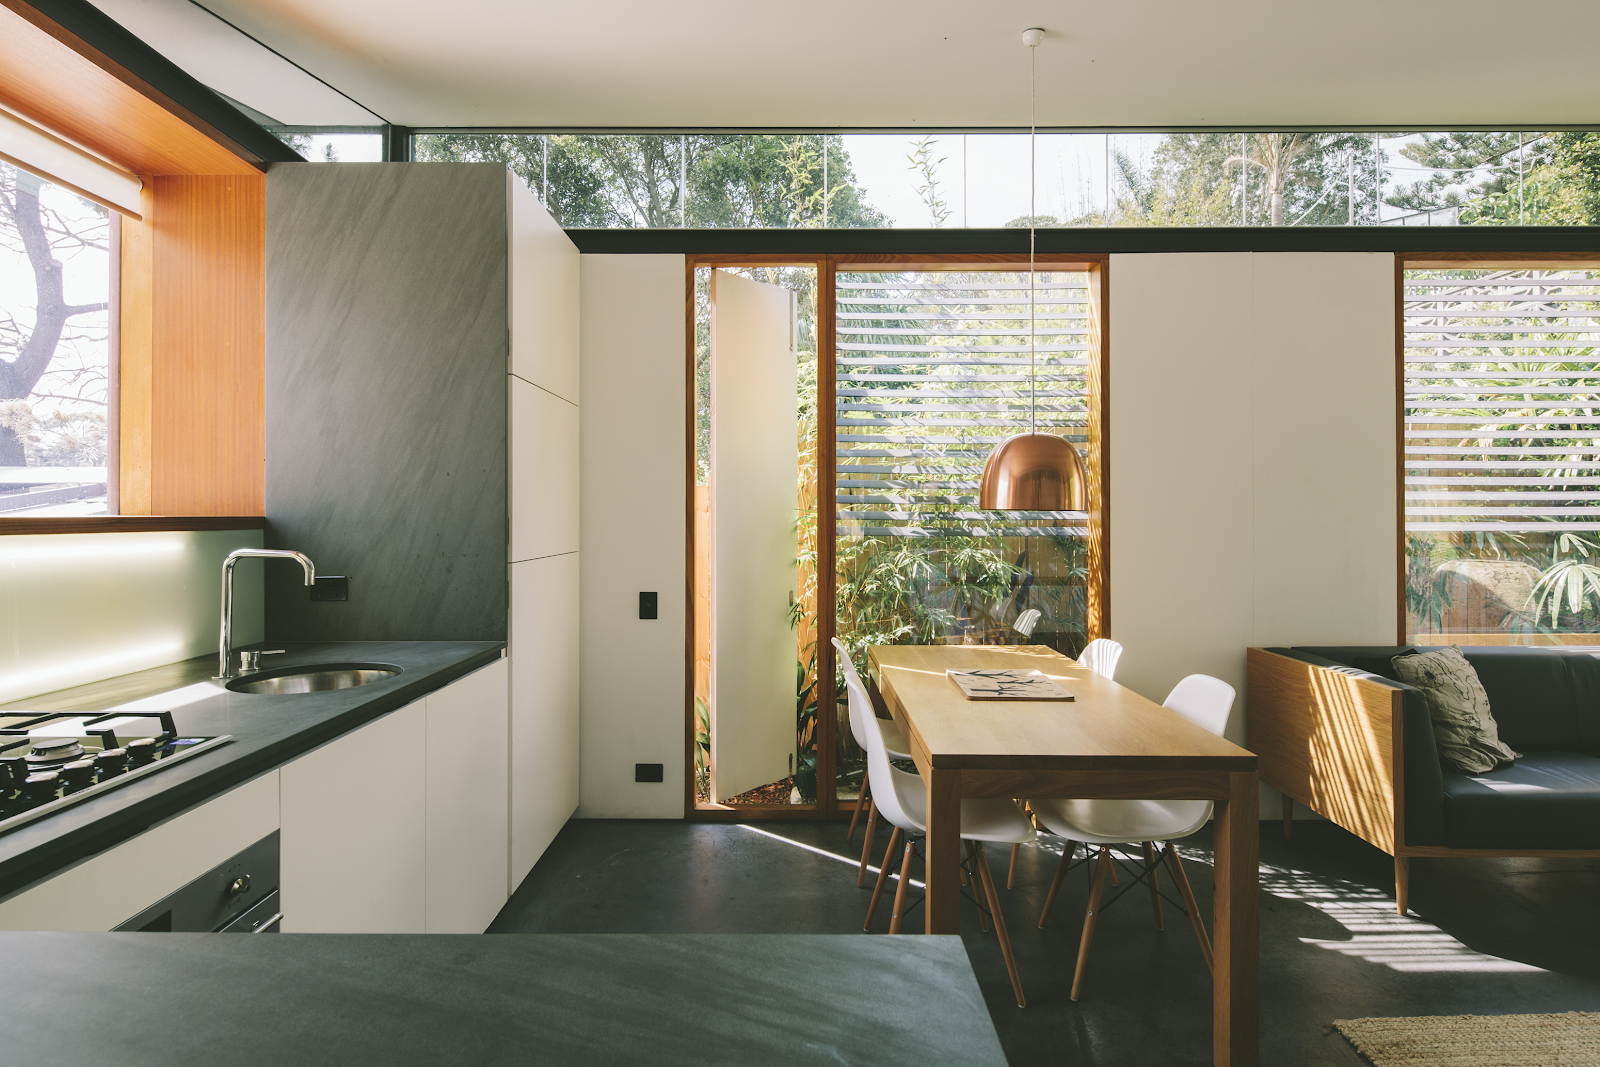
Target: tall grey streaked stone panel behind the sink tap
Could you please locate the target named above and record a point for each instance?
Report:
(386, 398)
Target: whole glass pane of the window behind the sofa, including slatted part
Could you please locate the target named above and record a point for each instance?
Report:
(1502, 458)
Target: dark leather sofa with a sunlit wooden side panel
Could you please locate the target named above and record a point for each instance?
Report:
(1546, 705)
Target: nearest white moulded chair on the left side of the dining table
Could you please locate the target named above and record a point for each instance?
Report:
(903, 801)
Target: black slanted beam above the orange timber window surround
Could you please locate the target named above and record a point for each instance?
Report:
(108, 46)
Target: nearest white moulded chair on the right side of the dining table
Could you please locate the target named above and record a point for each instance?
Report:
(1206, 703)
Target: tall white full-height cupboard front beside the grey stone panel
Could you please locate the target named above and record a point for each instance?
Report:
(545, 521)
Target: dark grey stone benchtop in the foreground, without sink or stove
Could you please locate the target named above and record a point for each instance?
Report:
(703, 1001)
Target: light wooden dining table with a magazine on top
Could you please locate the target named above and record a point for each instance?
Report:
(1106, 743)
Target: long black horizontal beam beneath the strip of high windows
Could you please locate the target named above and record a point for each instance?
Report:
(1057, 241)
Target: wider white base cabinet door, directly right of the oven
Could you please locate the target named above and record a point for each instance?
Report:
(354, 831)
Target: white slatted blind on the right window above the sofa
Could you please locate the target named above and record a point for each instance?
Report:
(1502, 401)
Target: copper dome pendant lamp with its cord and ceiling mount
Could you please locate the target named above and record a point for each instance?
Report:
(1033, 473)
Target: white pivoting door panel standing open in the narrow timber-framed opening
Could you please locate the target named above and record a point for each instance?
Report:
(753, 484)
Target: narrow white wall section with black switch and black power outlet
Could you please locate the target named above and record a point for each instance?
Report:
(633, 535)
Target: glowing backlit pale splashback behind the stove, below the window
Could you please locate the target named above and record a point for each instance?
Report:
(78, 609)
